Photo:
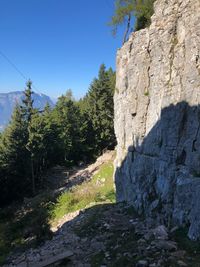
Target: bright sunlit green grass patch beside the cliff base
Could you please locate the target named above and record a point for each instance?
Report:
(99, 189)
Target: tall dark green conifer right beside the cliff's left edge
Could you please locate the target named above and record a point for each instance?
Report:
(100, 108)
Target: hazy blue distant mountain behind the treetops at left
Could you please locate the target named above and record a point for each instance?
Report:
(8, 102)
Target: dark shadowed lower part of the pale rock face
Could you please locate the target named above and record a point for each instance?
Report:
(161, 176)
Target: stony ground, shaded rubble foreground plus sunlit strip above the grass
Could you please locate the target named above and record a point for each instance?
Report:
(107, 235)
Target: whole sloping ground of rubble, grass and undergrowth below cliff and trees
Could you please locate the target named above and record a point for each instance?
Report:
(76, 222)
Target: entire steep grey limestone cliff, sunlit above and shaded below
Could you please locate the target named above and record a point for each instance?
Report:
(157, 116)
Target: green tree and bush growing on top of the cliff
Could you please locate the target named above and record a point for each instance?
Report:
(128, 12)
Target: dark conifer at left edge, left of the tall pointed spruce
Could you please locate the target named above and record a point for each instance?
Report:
(14, 159)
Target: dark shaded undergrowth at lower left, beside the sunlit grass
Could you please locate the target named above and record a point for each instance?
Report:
(24, 227)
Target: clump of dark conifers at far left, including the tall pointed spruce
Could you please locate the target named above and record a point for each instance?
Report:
(23, 149)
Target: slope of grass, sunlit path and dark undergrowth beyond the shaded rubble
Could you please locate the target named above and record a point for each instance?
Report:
(29, 224)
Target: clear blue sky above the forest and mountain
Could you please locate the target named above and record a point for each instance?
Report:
(58, 44)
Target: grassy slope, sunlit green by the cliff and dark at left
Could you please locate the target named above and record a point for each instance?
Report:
(27, 226)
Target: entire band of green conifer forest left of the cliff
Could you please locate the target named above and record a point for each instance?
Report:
(71, 133)
